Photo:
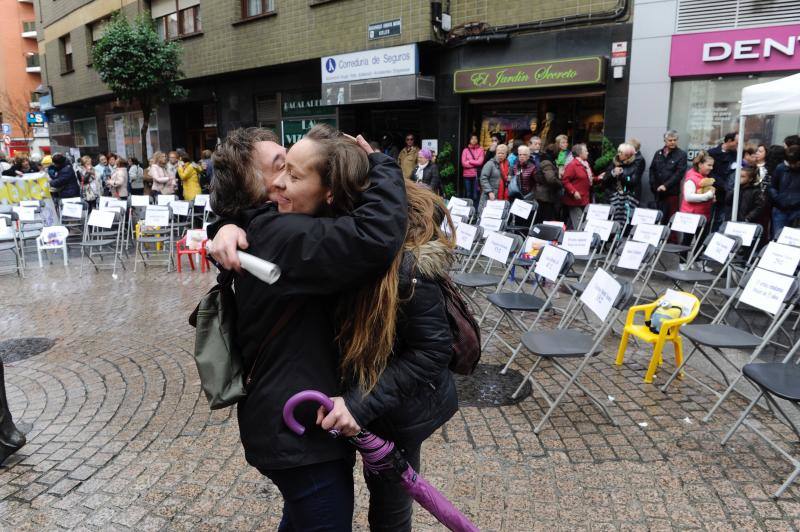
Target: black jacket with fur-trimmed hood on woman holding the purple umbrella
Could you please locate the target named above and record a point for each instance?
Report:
(416, 393)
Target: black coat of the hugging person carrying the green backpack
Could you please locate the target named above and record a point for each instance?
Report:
(319, 258)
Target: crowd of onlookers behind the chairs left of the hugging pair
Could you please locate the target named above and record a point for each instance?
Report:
(115, 176)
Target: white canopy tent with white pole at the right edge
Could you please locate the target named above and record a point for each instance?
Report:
(781, 96)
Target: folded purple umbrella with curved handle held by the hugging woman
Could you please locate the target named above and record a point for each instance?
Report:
(381, 457)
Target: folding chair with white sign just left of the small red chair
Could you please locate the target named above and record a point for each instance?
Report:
(154, 243)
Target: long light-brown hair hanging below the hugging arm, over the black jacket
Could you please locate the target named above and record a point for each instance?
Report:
(367, 332)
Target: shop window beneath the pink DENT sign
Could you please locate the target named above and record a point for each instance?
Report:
(703, 111)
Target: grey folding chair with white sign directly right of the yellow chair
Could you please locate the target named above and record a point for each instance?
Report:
(719, 335)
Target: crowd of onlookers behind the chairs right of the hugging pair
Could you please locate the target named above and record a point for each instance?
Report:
(564, 181)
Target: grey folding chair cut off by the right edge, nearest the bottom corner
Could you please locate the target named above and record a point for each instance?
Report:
(773, 380)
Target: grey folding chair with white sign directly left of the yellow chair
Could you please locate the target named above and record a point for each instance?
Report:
(605, 298)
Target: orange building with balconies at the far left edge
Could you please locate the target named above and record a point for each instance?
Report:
(20, 76)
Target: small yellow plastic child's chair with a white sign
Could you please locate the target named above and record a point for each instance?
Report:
(670, 332)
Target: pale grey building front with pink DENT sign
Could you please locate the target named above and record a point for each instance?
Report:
(691, 59)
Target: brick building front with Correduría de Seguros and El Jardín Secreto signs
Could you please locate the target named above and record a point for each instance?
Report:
(290, 64)
